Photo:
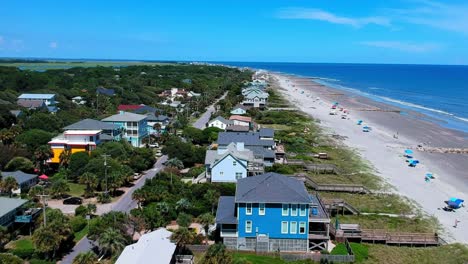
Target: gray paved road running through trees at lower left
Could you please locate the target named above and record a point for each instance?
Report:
(124, 204)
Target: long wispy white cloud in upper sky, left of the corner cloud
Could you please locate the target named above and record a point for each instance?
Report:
(318, 14)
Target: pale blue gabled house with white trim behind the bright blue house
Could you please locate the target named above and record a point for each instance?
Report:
(231, 163)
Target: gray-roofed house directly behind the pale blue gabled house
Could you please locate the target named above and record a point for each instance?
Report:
(262, 148)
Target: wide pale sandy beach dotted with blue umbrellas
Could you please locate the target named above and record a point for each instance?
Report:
(385, 152)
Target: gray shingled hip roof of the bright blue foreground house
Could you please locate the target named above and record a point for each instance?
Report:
(271, 188)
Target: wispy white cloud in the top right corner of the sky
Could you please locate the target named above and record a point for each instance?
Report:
(449, 17)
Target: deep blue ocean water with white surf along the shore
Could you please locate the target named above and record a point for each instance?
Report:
(439, 91)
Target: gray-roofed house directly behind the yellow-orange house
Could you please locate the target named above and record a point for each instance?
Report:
(109, 132)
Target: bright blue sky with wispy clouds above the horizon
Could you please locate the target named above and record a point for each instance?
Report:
(391, 31)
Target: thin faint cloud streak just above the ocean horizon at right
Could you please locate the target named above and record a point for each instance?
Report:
(403, 46)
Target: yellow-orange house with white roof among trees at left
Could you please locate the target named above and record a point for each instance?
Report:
(75, 141)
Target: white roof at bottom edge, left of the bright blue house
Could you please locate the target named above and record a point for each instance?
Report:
(153, 247)
